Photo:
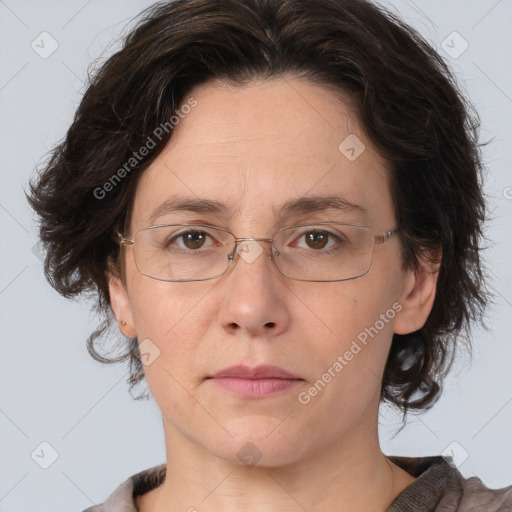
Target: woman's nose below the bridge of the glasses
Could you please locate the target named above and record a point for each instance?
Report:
(254, 293)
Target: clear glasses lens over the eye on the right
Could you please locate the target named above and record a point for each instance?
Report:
(324, 252)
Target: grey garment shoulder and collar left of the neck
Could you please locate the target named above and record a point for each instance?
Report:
(122, 498)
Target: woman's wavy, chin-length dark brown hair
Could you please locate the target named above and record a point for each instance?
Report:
(407, 101)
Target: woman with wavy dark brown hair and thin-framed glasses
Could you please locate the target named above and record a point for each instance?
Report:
(279, 203)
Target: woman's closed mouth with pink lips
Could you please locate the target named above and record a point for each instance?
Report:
(257, 382)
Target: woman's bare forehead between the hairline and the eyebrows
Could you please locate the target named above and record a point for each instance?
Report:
(259, 148)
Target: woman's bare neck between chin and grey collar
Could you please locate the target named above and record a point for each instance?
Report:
(352, 475)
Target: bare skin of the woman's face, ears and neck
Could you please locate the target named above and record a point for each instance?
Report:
(254, 147)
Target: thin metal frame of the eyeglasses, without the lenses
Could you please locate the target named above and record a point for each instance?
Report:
(377, 239)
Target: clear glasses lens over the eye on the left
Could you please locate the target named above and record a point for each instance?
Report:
(182, 252)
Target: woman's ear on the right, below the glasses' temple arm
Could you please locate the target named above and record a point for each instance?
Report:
(418, 296)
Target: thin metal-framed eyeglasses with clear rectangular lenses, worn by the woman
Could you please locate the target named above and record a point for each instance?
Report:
(323, 252)
